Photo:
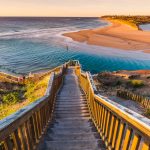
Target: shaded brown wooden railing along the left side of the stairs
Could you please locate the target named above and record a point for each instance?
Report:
(24, 129)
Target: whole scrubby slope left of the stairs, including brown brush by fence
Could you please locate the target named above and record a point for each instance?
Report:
(14, 96)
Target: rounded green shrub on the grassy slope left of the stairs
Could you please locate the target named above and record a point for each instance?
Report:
(11, 98)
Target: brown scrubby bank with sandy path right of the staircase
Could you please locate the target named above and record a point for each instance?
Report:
(133, 82)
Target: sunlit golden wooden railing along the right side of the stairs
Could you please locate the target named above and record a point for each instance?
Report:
(118, 126)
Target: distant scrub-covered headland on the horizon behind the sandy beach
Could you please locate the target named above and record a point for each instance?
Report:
(133, 21)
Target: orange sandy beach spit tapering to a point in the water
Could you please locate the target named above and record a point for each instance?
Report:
(117, 35)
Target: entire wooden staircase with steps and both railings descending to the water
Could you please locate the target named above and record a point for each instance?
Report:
(73, 120)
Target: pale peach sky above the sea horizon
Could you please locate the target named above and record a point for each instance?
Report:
(73, 8)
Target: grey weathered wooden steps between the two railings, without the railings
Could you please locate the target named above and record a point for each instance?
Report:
(72, 127)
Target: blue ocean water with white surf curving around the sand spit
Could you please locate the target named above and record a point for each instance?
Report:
(34, 44)
